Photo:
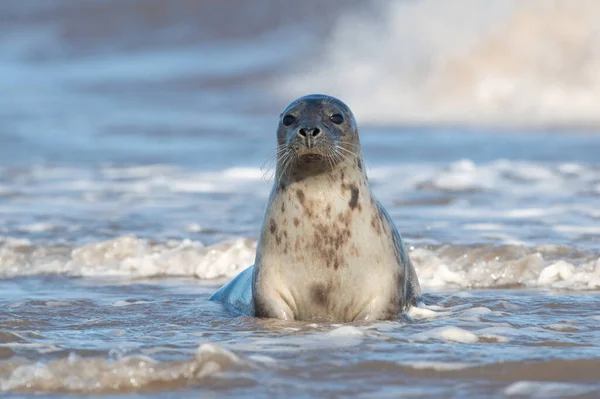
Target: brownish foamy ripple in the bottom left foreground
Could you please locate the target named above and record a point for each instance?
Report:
(128, 374)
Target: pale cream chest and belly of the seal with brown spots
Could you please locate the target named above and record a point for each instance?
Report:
(323, 258)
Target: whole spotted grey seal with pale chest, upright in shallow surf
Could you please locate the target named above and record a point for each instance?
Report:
(327, 250)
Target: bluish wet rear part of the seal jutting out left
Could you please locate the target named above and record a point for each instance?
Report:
(237, 294)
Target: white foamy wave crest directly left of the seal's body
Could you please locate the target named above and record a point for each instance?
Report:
(131, 256)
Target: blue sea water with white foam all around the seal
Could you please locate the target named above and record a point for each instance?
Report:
(132, 138)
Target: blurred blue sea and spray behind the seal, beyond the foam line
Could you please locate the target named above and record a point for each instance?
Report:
(152, 118)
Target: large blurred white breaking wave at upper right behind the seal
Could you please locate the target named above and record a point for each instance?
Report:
(504, 62)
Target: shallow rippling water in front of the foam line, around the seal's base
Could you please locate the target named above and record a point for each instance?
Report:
(99, 335)
